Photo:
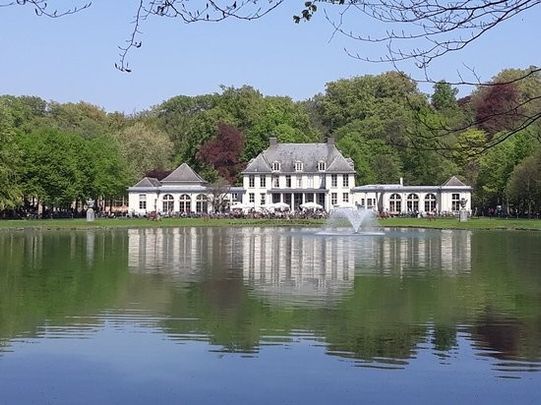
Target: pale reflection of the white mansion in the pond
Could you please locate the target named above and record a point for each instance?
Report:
(282, 262)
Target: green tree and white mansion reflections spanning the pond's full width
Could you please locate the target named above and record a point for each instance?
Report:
(402, 293)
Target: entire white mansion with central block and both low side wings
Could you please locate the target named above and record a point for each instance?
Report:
(295, 174)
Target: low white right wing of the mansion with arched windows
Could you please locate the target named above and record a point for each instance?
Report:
(396, 199)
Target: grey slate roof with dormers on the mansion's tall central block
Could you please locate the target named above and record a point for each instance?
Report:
(310, 154)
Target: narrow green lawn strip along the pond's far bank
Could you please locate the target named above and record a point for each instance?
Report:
(451, 223)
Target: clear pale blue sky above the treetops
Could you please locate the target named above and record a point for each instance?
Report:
(72, 58)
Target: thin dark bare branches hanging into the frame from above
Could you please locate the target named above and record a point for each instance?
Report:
(413, 31)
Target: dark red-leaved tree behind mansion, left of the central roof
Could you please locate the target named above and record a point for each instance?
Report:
(224, 151)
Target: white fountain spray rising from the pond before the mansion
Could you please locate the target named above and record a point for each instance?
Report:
(362, 221)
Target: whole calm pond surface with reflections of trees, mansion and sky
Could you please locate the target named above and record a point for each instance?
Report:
(263, 315)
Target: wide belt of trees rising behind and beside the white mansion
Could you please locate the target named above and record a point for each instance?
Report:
(59, 153)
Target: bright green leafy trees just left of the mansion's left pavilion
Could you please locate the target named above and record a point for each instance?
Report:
(59, 168)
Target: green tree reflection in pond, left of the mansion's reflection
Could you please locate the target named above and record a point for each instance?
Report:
(46, 277)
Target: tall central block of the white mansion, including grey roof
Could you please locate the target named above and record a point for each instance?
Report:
(295, 174)
